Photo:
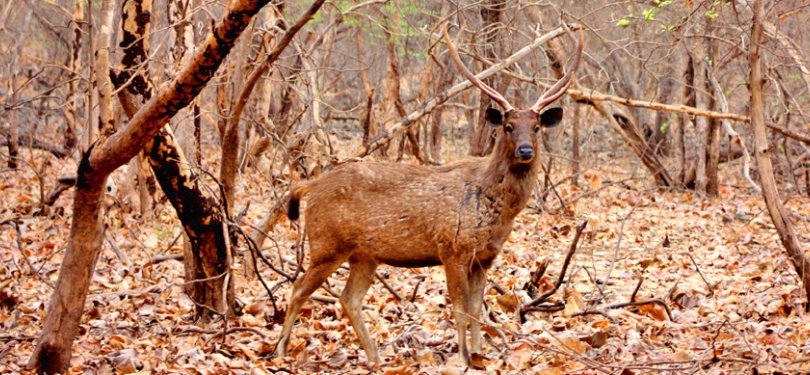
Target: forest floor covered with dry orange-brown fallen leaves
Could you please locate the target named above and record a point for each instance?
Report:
(735, 300)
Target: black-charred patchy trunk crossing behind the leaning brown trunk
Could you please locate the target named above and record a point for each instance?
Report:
(209, 256)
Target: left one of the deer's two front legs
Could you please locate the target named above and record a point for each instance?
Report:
(458, 279)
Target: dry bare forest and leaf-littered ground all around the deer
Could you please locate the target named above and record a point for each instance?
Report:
(147, 148)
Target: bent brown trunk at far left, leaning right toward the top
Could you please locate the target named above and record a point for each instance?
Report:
(54, 346)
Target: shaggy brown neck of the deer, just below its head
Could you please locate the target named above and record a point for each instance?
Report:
(506, 185)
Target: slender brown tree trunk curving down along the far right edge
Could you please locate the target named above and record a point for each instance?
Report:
(769, 190)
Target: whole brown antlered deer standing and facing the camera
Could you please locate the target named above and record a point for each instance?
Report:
(458, 215)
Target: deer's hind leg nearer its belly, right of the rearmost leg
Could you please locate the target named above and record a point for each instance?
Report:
(361, 276)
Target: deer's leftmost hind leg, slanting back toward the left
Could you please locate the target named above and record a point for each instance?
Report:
(313, 278)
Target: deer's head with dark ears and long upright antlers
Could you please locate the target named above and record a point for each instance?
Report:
(521, 126)
